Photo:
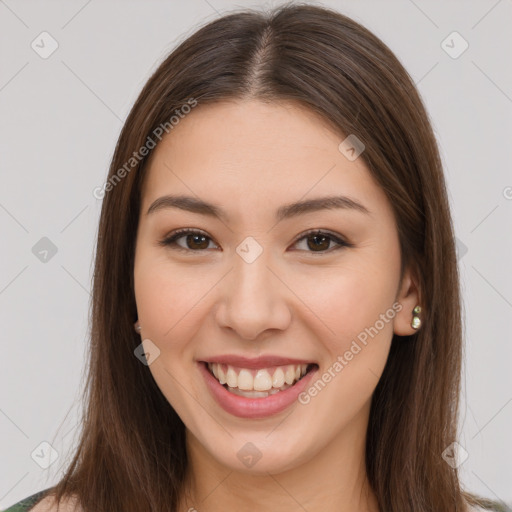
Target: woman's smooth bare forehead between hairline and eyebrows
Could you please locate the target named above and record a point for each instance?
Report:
(252, 153)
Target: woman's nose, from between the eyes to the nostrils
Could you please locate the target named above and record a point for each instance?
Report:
(253, 299)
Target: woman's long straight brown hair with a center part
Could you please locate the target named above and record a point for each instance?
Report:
(131, 454)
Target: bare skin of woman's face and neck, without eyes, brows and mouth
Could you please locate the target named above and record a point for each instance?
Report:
(250, 158)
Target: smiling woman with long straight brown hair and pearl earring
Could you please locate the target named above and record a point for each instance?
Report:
(276, 311)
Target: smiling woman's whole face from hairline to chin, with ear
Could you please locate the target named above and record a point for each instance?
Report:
(253, 294)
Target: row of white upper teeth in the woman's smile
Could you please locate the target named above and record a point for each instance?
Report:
(262, 379)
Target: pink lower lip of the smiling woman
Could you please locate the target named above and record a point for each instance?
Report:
(254, 407)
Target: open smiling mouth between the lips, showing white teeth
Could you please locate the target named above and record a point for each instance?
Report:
(261, 382)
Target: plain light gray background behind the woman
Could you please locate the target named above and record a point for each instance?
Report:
(61, 116)
